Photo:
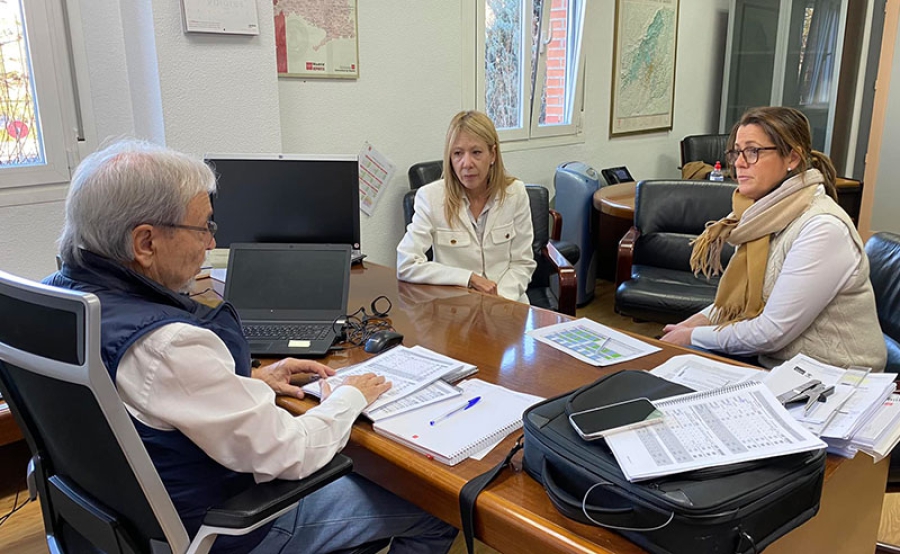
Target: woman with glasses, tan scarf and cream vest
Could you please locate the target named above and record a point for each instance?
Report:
(799, 279)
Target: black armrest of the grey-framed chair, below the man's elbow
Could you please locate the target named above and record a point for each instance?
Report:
(261, 501)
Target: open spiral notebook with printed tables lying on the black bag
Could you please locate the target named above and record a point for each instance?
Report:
(737, 423)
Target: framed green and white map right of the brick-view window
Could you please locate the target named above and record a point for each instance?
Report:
(643, 94)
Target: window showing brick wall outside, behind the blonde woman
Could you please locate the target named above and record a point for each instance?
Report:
(529, 77)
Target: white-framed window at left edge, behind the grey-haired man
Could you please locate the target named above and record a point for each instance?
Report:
(35, 93)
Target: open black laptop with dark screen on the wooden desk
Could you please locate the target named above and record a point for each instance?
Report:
(292, 298)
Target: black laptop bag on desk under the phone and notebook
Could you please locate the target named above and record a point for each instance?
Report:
(739, 508)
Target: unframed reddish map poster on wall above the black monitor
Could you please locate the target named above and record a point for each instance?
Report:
(316, 38)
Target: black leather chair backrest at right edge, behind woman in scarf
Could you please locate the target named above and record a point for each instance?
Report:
(883, 250)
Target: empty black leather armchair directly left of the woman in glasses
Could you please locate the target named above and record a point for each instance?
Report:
(654, 281)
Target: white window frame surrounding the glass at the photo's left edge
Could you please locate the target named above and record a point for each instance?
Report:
(57, 110)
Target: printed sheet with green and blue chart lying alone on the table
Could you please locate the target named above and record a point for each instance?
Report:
(592, 342)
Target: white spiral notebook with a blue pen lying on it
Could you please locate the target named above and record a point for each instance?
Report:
(455, 437)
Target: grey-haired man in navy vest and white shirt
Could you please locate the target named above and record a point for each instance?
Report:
(138, 224)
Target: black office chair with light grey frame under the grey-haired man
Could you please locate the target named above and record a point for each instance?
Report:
(98, 487)
